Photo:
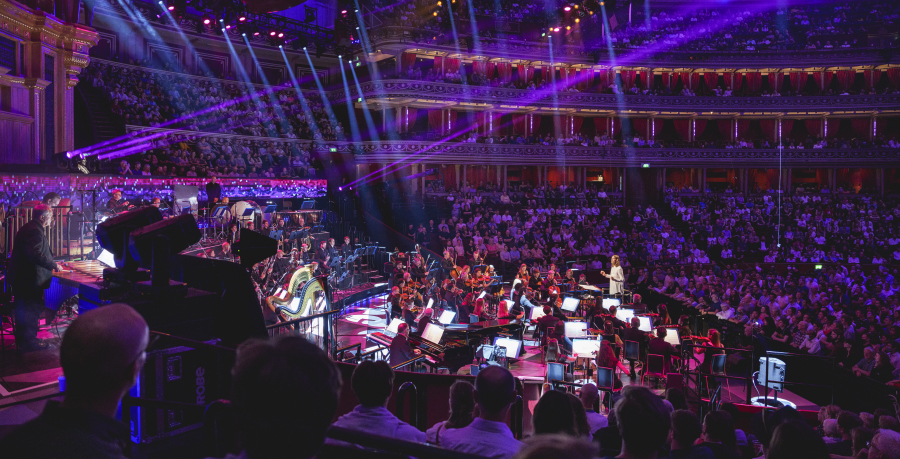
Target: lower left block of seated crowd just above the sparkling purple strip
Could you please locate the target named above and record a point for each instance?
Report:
(184, 155)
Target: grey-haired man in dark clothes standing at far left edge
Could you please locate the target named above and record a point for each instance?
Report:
(31, 268)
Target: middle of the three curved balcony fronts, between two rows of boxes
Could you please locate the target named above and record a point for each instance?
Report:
(510, 99)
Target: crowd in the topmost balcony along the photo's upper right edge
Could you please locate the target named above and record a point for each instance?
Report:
(821, 26)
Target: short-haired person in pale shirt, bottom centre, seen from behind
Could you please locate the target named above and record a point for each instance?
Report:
(488, 434)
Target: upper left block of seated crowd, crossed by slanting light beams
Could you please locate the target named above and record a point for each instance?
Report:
(145, 97)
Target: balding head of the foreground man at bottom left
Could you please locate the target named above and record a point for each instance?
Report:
(103, 350)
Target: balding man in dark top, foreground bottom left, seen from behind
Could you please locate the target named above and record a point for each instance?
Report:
(102, 355)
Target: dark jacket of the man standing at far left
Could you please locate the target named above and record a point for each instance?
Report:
(32, 262)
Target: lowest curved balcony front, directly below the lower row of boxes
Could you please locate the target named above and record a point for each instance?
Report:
(479, 153)
